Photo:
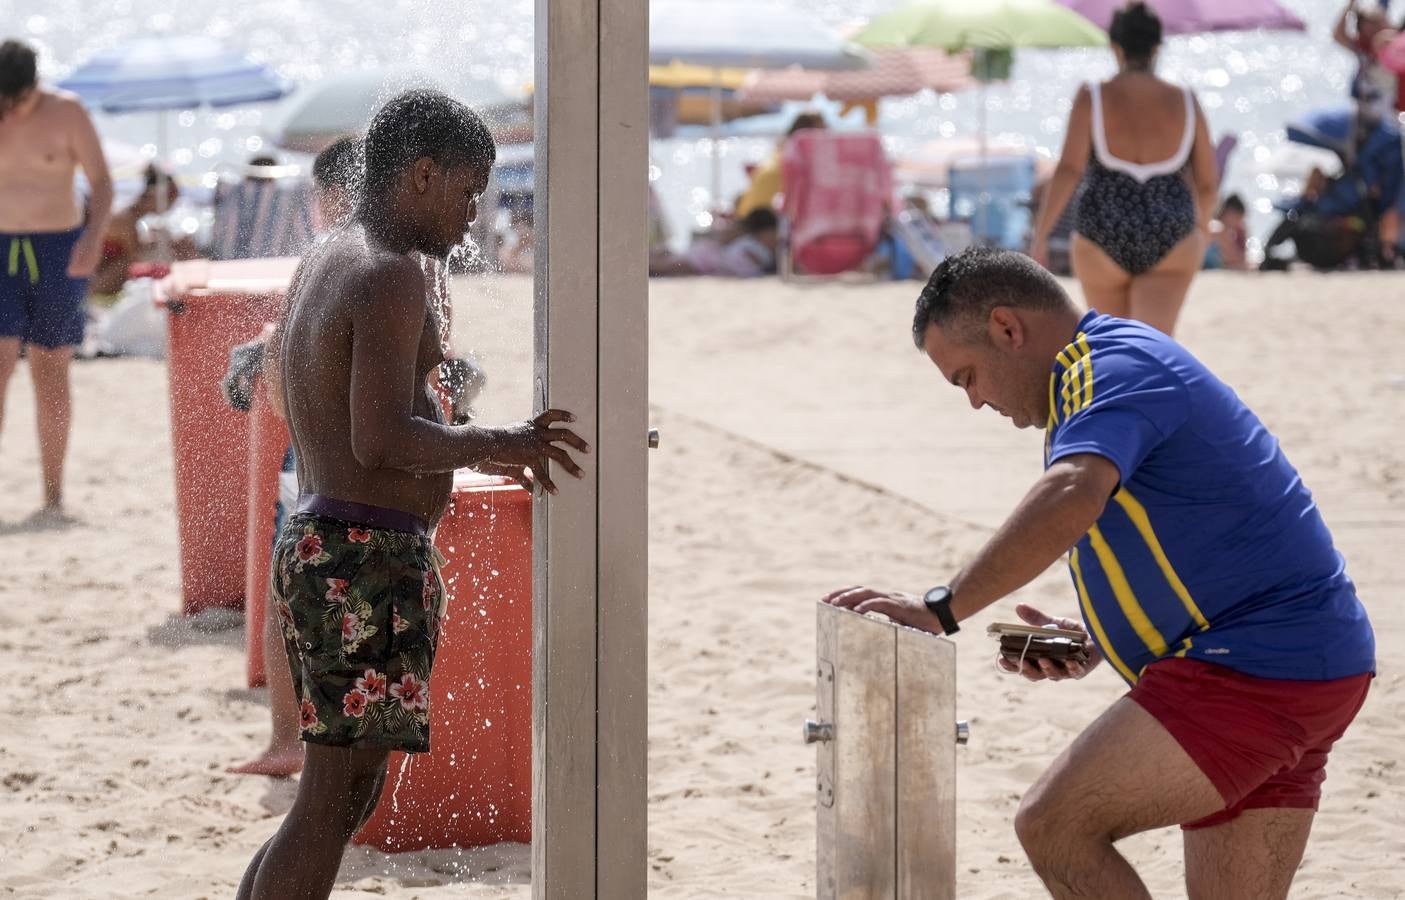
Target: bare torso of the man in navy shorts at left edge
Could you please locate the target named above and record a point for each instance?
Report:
(39, 162)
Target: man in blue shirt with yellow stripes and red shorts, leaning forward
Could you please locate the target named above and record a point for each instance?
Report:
(1205, 574)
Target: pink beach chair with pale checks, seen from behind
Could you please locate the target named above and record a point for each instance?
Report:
(838, 196)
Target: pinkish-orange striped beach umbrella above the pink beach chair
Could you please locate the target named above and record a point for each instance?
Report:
(896, 72)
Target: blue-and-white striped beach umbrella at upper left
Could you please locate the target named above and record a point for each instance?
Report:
(172, 72)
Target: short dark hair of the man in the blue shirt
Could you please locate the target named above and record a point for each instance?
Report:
(966, 287)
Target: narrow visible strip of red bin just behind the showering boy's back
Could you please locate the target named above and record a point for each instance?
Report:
(268, 447)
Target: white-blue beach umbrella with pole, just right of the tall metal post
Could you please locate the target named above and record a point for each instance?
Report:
(743, 34)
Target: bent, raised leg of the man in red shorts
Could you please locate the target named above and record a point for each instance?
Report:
(1123, 776)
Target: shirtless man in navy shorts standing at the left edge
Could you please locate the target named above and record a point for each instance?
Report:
(48, 249)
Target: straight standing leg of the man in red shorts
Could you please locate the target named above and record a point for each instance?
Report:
(1254, 856)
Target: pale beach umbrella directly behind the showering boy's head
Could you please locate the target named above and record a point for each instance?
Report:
(344, 106)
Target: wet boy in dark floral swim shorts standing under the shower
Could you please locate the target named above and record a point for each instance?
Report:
(355, 574)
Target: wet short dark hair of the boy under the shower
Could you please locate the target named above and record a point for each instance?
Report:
(424, 124)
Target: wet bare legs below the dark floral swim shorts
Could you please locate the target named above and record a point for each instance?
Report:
(336, 794)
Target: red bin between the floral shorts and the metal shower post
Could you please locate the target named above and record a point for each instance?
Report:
(474, 787)
